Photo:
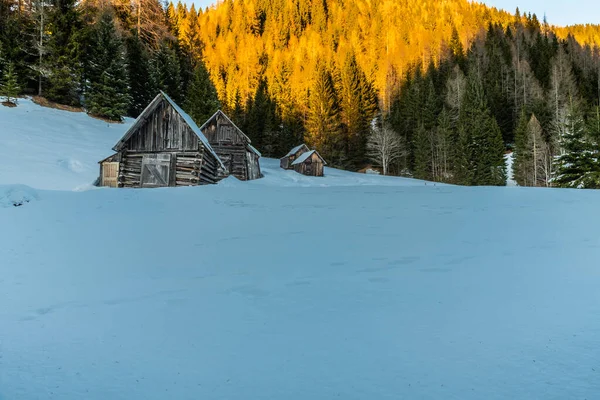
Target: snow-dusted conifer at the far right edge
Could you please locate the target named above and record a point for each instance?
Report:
(577, 166)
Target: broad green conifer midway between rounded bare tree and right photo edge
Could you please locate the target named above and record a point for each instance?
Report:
(480, 151)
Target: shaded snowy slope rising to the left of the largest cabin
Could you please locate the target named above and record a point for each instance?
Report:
(52, 149)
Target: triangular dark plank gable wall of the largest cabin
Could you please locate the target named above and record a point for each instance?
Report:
(162, 130)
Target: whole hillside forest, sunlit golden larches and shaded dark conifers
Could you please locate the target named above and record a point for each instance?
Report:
(434, 90)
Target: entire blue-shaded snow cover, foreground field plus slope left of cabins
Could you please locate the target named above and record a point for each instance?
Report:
(348, 286)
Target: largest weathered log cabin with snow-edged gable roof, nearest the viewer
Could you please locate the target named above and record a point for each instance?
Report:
(163, 147)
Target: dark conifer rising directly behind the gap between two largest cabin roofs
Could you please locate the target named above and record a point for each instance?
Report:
(201, 101)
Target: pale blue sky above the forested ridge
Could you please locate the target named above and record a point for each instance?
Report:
(559, 12)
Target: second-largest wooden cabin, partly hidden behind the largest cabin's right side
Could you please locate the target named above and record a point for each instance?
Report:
(233, 147)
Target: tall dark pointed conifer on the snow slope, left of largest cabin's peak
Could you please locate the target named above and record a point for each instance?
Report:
(107, 96)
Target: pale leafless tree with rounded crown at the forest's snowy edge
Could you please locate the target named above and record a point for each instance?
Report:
(385, 146)
